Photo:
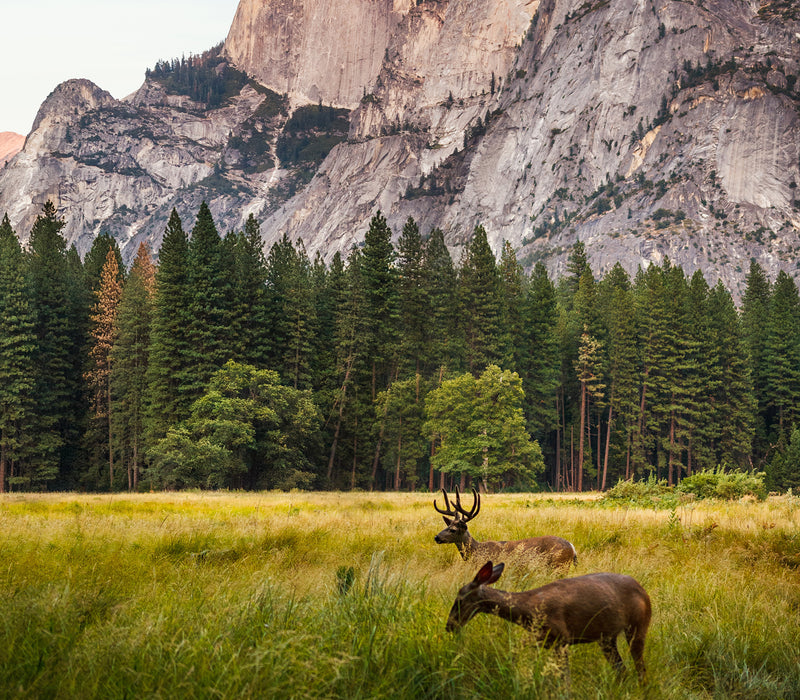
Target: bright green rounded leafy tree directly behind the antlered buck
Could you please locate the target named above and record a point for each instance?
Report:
(480, 428)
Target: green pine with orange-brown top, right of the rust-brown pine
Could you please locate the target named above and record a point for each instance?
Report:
(129, 361)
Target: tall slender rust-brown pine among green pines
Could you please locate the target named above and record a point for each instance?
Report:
(103, 327)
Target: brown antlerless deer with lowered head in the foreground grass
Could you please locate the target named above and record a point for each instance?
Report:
(580, 610)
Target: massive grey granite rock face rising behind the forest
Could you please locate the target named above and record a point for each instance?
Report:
(644, 129)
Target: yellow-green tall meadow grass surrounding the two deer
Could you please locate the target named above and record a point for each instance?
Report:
(332, 595)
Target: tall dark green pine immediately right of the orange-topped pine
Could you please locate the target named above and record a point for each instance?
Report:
(169, 359)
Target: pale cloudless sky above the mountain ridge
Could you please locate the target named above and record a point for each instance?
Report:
(112, 43)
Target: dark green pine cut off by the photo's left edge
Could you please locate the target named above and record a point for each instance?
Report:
(17, 344)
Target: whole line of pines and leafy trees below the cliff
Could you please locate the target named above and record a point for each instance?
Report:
(393, 367)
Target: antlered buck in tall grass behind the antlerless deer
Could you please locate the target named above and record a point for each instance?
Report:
(554, 551)
